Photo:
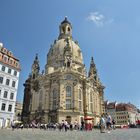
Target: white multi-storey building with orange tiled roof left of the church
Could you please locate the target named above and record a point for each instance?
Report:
(9, 78)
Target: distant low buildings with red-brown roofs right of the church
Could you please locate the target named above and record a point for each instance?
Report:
(122, 113)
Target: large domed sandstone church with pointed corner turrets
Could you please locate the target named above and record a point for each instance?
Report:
(63, 91)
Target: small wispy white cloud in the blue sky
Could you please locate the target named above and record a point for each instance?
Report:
(99, 19)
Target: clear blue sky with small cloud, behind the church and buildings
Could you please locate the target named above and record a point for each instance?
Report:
(105, 29)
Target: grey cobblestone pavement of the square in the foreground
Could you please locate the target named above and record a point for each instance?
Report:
(36, 134)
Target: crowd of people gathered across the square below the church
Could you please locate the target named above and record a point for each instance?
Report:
(106, 124)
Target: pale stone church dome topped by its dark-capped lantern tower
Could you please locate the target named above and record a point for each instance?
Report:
(64, 47)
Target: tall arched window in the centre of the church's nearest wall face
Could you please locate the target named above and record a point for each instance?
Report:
(68, 97)
